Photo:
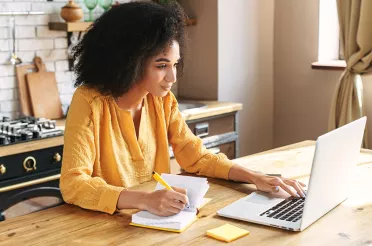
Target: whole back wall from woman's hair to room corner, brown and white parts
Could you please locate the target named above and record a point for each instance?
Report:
(231, 59)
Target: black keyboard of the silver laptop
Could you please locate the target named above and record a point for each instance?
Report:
(288, 210)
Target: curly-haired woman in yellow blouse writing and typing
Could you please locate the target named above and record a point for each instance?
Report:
(123, 116)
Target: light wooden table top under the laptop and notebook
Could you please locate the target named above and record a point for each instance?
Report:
(348, 224)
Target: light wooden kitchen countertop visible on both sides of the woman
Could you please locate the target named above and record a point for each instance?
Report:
(213, 108)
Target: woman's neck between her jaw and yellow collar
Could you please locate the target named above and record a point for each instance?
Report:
(133, 99)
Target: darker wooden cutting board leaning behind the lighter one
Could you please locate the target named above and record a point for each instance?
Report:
(24, 96)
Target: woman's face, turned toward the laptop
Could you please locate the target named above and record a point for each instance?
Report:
(160, 71)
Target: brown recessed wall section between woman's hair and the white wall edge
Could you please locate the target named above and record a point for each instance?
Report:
(201, 65)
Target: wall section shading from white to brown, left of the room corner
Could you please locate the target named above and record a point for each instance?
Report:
(245, 68)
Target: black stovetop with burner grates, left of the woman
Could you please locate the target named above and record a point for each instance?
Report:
(27, 129)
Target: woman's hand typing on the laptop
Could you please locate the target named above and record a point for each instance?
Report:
(271, 184)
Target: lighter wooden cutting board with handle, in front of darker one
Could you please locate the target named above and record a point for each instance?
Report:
(44, 94)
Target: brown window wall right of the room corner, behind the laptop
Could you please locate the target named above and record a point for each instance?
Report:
(302, 96)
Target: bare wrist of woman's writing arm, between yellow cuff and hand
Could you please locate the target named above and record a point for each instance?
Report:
(132, 199)
